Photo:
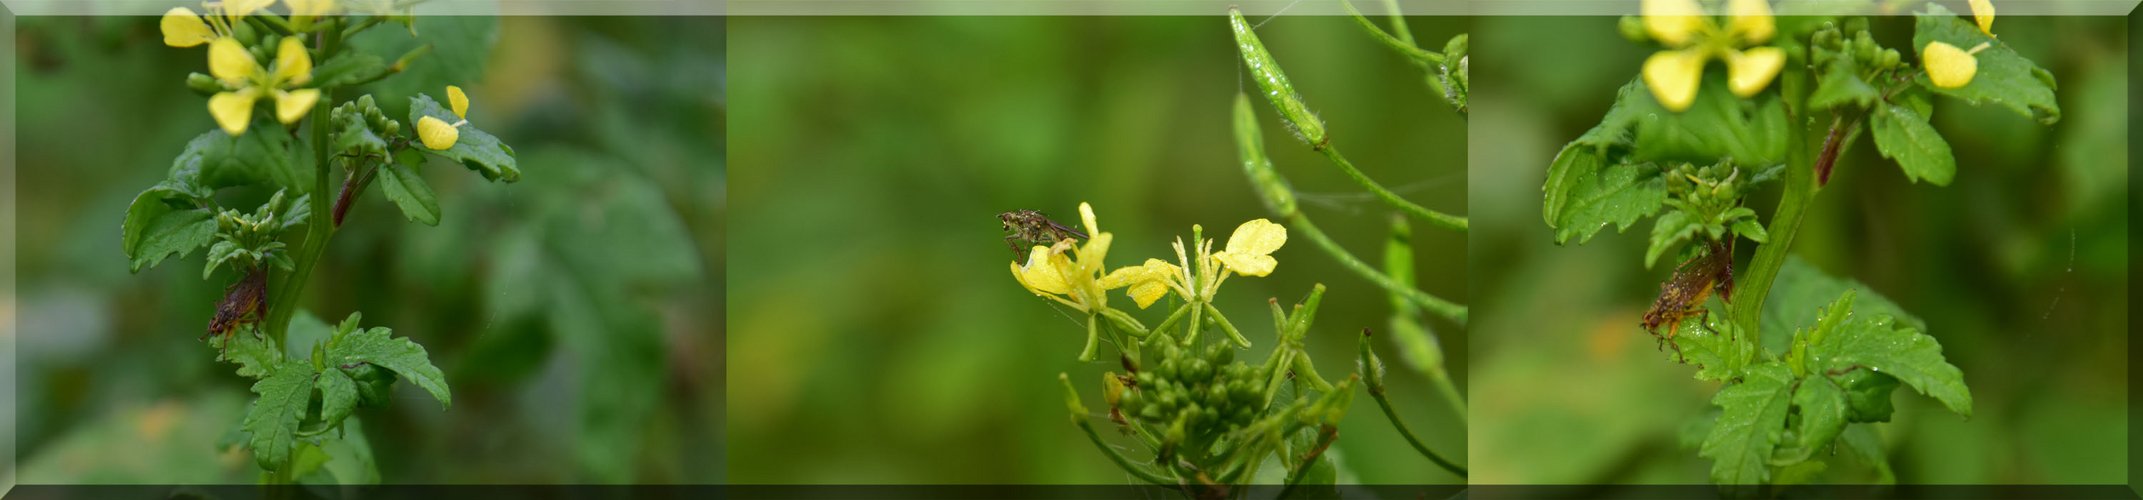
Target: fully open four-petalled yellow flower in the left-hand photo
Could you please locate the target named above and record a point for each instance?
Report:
(250, 83)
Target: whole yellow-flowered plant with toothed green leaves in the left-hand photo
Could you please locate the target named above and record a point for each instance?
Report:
(297, 63)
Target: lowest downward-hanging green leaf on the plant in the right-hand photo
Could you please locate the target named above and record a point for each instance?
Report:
(1750, 426)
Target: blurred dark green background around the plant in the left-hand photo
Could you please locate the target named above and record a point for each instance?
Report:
(575, 312)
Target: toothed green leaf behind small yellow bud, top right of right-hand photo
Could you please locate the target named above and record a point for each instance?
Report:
(2003, 76)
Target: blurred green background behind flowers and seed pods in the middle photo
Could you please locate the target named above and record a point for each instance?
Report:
(880, 336)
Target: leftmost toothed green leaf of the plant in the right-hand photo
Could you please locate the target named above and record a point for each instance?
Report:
(1583, 196)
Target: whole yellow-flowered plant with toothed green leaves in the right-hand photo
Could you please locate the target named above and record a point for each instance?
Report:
(1688, 145)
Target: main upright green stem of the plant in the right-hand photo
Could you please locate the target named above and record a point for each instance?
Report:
(1748, 310)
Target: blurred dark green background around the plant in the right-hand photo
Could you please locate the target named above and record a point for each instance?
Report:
(2018, 267)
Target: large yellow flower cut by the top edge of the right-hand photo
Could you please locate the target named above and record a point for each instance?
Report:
(1694, 40)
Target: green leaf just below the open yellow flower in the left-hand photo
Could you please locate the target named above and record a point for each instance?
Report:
(215, 160)
